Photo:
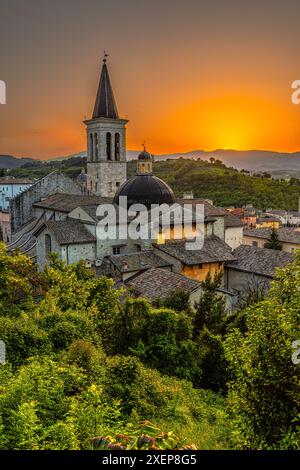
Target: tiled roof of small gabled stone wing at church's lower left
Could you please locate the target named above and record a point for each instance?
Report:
(69, 231)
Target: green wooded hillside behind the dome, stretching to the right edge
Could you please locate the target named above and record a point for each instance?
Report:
(226, 186)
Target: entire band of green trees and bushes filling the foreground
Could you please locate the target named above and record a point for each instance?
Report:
(86, 361)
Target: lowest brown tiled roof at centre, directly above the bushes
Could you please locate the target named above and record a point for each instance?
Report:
(157, 283)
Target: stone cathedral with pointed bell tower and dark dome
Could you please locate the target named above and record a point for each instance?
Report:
(60, 216)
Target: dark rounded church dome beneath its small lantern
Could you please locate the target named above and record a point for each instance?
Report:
(145, 189)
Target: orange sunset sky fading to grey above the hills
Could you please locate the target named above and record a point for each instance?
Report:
(188, 74)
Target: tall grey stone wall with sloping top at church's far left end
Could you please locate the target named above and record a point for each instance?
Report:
(21, 209)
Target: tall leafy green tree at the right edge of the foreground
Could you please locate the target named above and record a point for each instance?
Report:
(264, 394)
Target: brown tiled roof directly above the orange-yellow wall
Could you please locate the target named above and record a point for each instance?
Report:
(214, 250)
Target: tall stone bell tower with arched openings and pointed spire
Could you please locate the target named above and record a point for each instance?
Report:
(106, 142)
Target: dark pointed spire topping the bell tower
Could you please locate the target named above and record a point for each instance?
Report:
(105, 105)
